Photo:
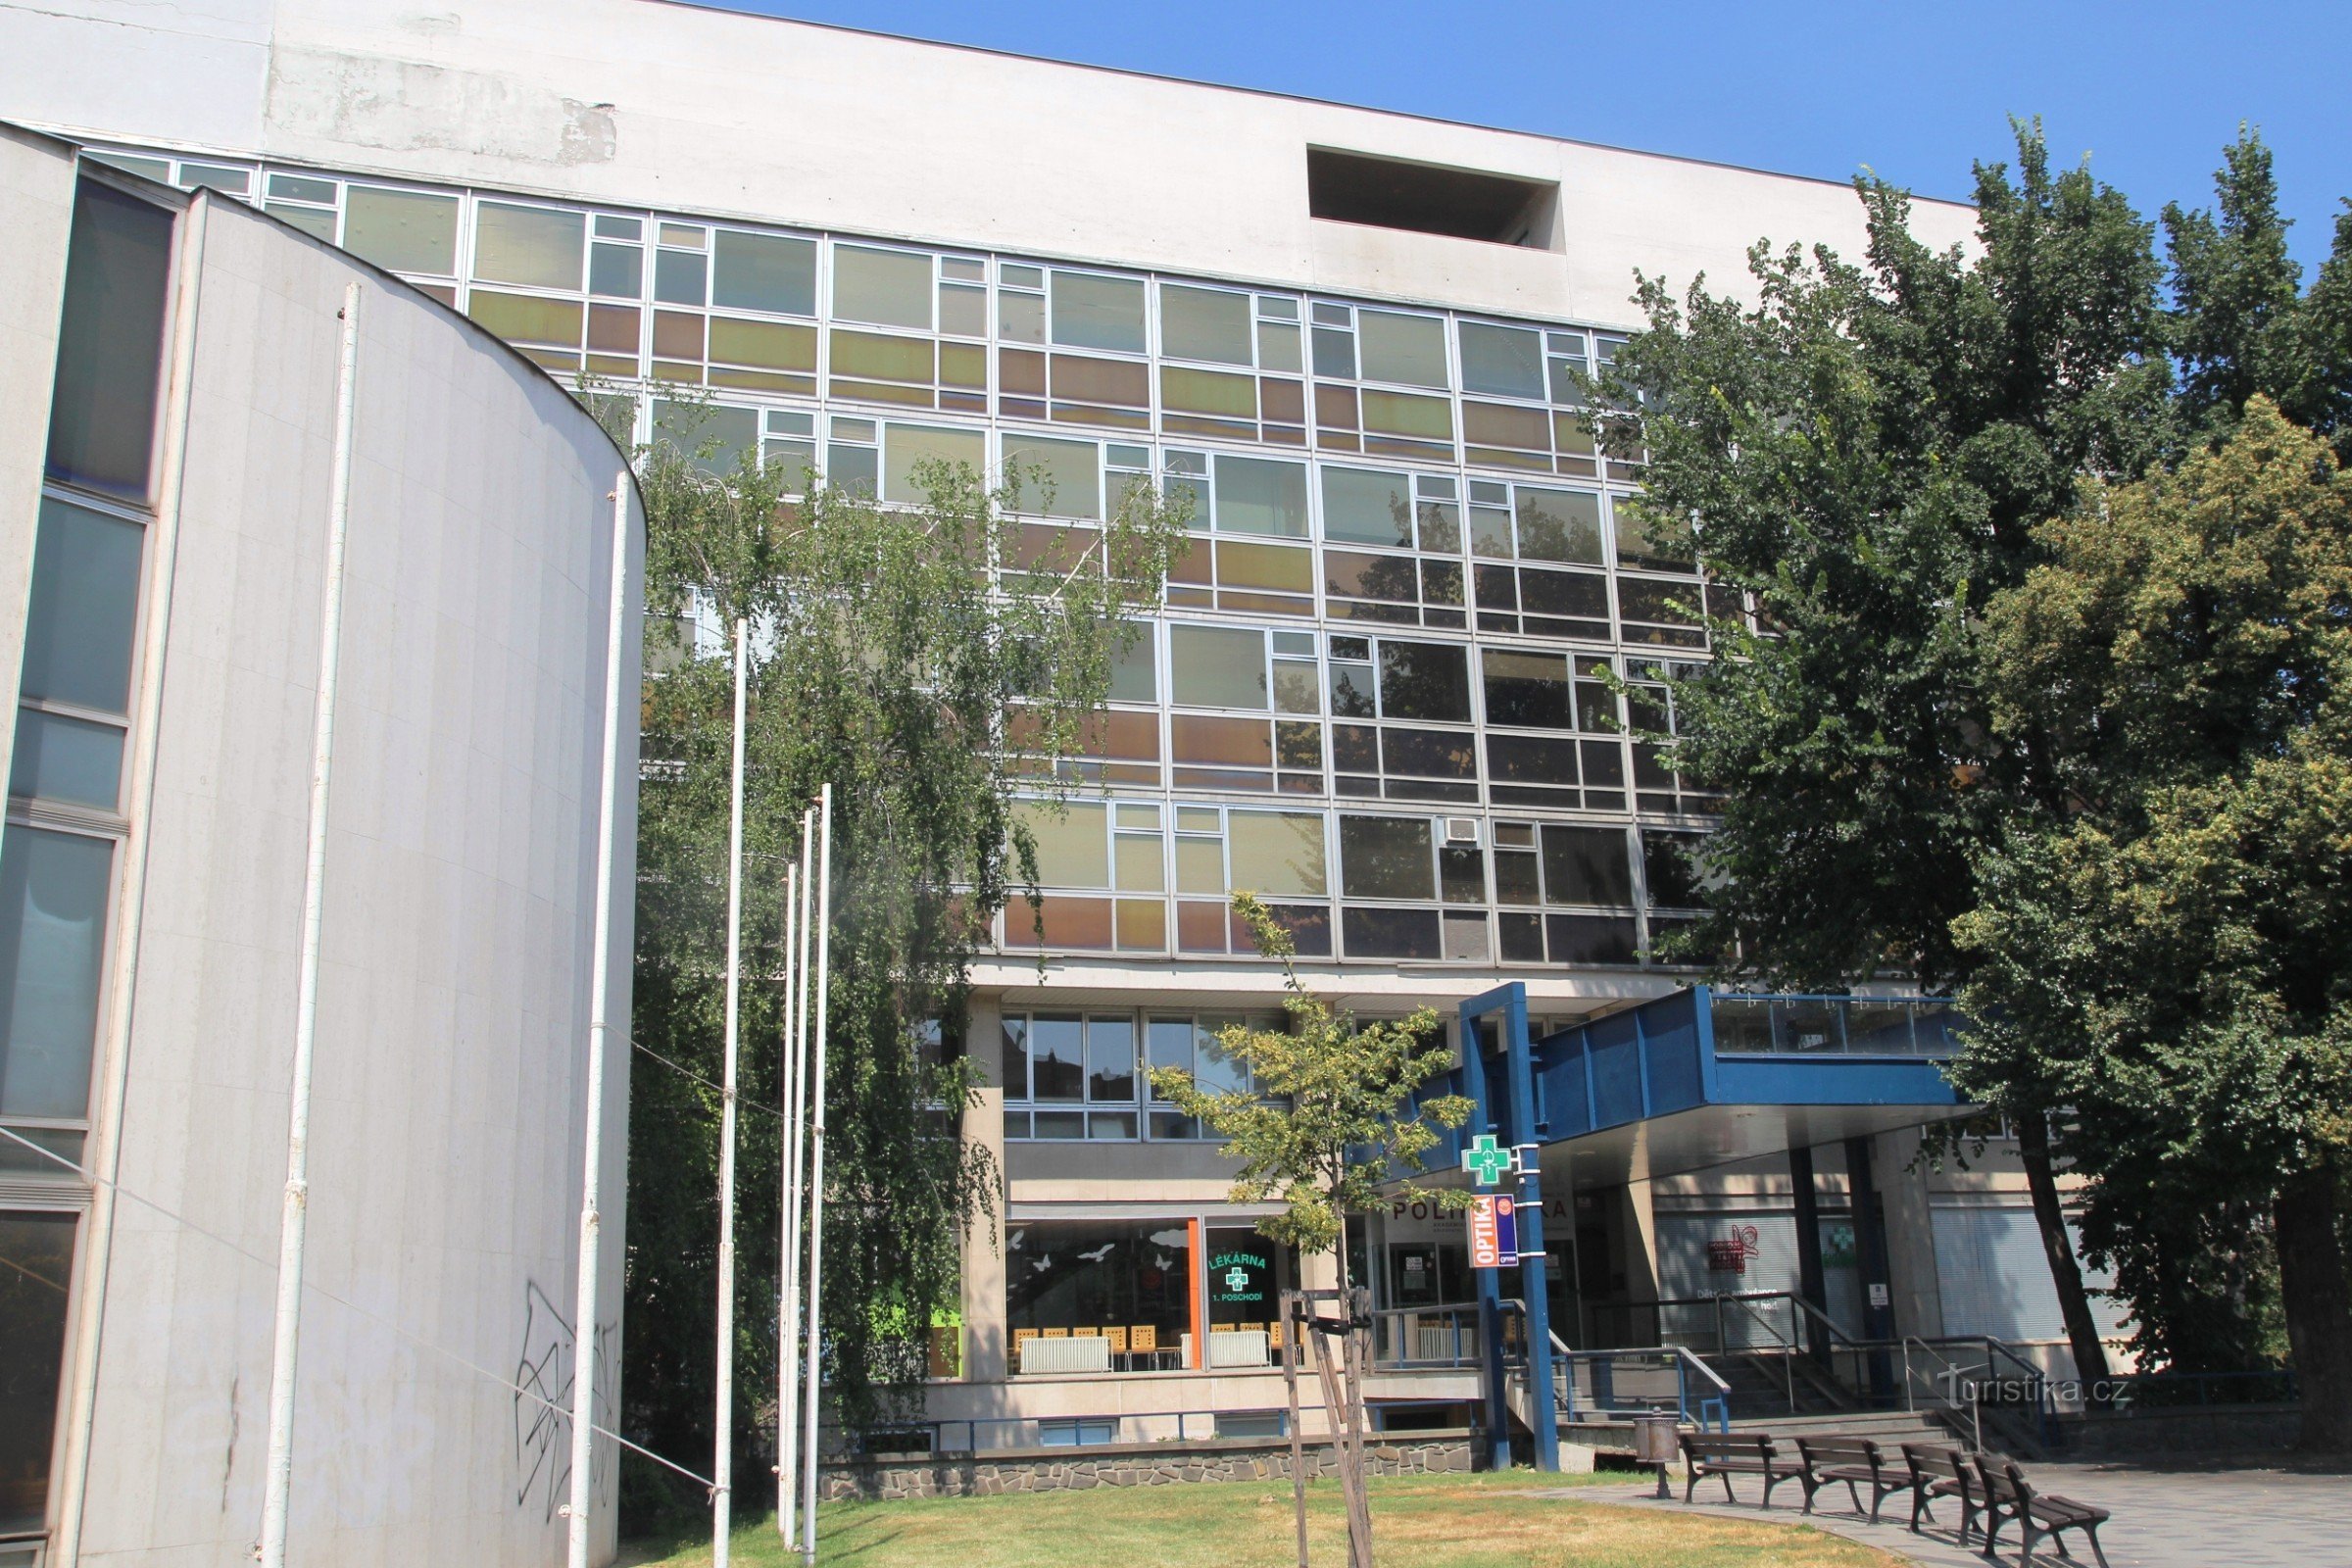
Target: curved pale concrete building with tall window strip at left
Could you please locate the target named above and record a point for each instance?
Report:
(168, 429)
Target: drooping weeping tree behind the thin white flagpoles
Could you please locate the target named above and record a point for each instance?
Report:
(900, 657)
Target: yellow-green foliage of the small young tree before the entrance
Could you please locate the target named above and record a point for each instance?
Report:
(1325, 1123)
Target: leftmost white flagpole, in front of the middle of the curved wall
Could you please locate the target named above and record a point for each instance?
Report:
(293, 1226)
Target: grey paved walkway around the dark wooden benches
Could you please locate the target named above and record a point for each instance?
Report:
(2179, 1515)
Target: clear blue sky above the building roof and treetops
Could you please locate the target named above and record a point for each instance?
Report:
(2151, 91)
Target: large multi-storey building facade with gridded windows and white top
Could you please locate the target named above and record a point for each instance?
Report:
(1384, 683)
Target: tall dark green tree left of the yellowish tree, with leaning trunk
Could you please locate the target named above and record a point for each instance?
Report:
(1866, 453)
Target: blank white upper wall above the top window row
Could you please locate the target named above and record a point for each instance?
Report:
(660, 105)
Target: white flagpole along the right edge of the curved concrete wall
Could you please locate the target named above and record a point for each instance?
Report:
(599, 1033)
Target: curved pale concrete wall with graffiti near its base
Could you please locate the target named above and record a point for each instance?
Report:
(457, 942)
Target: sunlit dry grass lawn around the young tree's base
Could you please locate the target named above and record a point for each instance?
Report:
(1417, 1522)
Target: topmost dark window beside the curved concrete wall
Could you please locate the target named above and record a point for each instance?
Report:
(109, 342)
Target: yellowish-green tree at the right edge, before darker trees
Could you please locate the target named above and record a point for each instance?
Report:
(2172, 958)
